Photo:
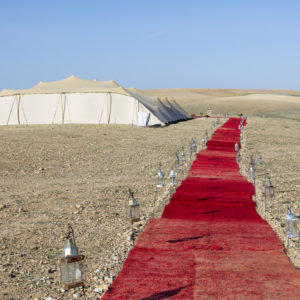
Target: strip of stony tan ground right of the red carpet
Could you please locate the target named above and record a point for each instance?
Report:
(278, 141)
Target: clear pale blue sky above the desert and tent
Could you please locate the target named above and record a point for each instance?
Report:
(152, 44)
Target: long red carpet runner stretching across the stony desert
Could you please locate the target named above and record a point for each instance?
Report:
(210, 243)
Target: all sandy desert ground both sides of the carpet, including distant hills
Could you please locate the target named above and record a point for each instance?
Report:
(51, 176)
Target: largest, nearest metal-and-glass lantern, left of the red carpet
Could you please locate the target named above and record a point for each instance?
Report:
(71, 264)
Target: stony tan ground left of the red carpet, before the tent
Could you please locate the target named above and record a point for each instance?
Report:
(79, 174)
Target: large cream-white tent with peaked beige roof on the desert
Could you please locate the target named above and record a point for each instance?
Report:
(75, 100)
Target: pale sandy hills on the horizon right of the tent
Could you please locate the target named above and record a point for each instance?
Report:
(273, 103)
